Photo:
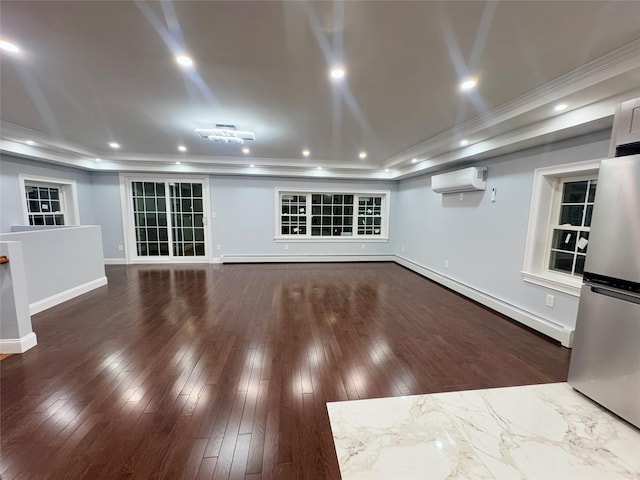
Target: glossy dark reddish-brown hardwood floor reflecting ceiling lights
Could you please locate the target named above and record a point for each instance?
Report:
(225, 371)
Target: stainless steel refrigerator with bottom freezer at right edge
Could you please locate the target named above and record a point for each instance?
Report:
(605, 361)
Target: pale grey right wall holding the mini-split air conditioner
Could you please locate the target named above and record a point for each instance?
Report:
(484, 241)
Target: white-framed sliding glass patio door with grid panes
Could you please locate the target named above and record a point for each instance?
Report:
(168, 220)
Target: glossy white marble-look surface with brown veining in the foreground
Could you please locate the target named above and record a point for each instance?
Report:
(530, 432)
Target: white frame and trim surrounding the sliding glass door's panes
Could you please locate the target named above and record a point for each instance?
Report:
(128, 224)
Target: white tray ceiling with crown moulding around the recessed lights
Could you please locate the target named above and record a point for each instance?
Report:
(92, 72)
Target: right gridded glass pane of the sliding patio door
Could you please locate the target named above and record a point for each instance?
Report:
(187, 213)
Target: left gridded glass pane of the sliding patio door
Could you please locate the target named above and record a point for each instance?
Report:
(150, 219)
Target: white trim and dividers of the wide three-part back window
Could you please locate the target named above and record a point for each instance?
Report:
(383, 237)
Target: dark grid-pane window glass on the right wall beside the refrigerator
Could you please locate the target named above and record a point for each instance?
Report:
(570, 235)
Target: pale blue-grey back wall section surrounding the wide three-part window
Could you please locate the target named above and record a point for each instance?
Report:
(245, 217)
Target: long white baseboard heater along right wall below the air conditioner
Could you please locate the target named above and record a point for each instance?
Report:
(556, 331)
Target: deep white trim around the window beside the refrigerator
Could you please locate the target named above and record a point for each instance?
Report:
(536, 254)
